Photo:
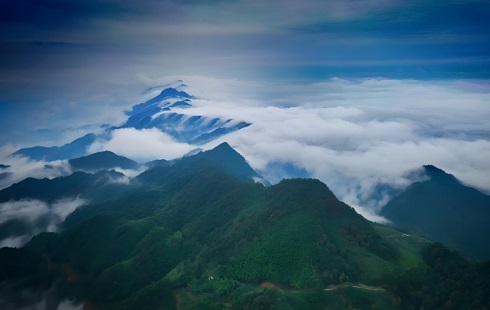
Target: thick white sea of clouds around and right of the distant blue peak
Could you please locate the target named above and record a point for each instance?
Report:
(354, 135)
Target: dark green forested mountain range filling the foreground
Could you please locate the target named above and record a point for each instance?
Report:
(200, 233)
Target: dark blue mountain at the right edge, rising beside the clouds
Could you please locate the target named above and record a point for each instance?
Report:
(445, 210)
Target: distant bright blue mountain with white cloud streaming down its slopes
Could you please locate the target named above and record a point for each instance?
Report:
(163, 112)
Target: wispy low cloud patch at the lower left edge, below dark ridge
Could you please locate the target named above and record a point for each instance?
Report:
(30, 217)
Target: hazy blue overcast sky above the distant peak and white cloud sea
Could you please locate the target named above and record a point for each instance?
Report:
(67, 61)
